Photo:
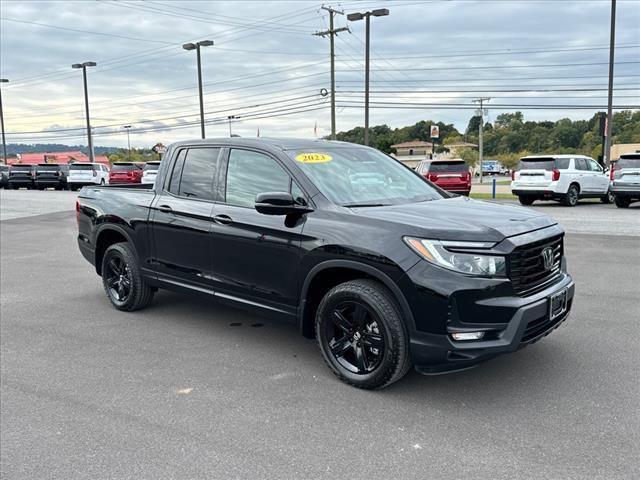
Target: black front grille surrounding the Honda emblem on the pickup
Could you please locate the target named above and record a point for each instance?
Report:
(527, 271)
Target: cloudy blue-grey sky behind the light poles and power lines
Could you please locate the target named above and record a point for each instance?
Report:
(430, 59)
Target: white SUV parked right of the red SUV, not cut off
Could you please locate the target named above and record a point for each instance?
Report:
(565, 178)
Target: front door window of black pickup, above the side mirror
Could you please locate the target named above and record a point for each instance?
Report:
(250, 173)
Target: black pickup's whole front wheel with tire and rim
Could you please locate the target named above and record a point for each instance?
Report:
(362, 335)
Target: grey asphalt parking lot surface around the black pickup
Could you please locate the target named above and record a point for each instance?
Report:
(181, 391)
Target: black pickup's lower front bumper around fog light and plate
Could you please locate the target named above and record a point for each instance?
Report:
(530, 321)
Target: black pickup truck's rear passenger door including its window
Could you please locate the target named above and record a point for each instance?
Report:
(181, 219)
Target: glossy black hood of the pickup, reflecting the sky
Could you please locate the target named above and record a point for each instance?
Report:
(460, 218)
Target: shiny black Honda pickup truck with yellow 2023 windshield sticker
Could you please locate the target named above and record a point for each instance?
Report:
(382, 267)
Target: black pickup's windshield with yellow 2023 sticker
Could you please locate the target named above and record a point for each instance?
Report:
(362, 177)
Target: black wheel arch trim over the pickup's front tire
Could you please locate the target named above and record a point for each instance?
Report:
(330, 273)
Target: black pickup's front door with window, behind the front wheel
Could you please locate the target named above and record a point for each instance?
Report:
(255, 256)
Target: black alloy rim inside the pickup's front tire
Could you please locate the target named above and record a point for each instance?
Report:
(354, 337)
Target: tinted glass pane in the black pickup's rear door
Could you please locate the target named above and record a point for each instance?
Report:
(198, 173)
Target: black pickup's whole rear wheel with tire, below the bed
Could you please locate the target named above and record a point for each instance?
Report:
(122, 279)
